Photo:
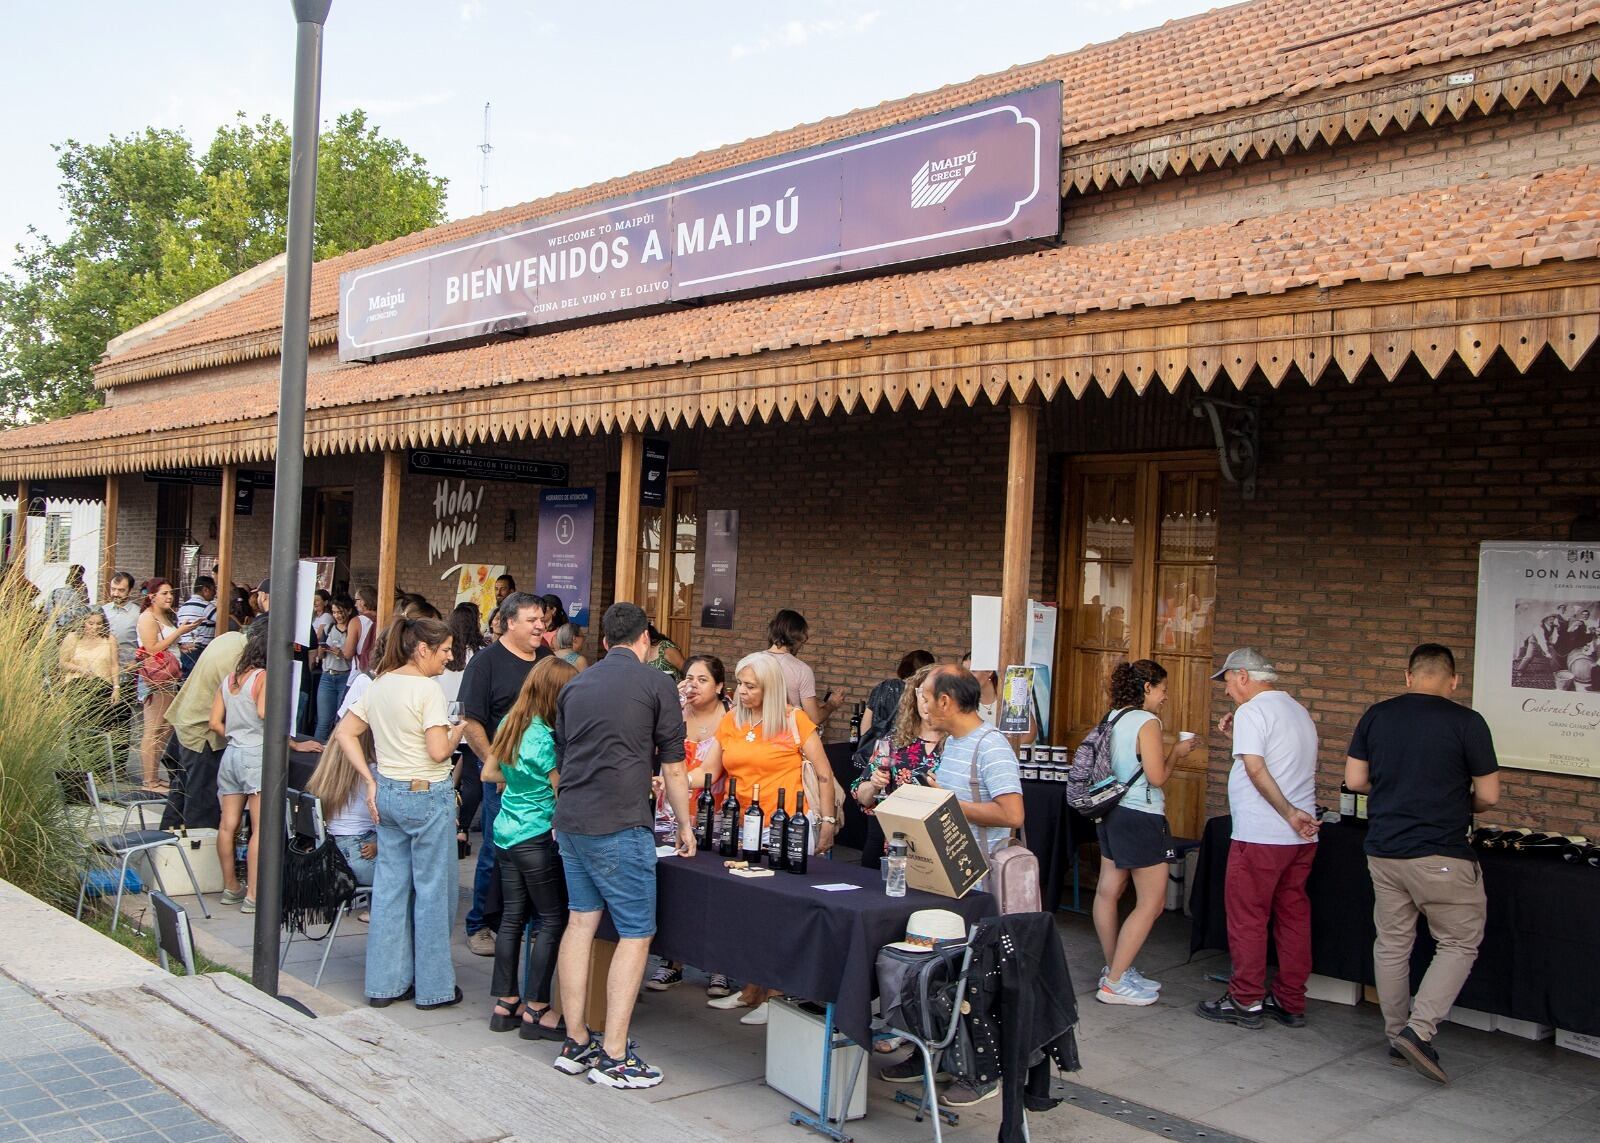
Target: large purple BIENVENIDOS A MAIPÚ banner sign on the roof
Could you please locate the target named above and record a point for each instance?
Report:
(969, 178)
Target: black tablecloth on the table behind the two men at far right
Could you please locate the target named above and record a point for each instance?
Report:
(1542, 940)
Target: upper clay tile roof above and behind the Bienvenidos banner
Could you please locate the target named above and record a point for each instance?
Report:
(1218, 62)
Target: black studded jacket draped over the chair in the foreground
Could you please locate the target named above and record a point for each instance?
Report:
(1022, 1016)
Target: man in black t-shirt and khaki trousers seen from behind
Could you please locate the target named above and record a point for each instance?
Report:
(1426, 766)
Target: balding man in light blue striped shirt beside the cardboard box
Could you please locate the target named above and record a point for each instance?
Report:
(950, 700)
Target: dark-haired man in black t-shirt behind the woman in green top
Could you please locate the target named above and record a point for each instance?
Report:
(489, 688)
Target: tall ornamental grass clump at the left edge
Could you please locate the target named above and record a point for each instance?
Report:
(42, 849)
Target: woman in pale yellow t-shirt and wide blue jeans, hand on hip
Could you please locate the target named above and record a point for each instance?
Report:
(414, 803)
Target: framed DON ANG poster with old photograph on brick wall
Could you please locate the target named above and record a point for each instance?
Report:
(1538, 643)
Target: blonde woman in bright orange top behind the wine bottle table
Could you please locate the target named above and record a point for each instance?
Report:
(766, 742)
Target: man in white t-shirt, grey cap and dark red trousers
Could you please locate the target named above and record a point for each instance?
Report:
(1273, 795)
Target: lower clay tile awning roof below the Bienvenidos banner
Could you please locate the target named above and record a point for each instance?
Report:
(1518, 222)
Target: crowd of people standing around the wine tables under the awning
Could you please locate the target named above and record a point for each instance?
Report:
(577, 771)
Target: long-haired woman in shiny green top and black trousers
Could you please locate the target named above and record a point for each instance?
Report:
(530, 864)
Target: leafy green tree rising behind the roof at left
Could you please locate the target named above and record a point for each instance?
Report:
(151, 225)
